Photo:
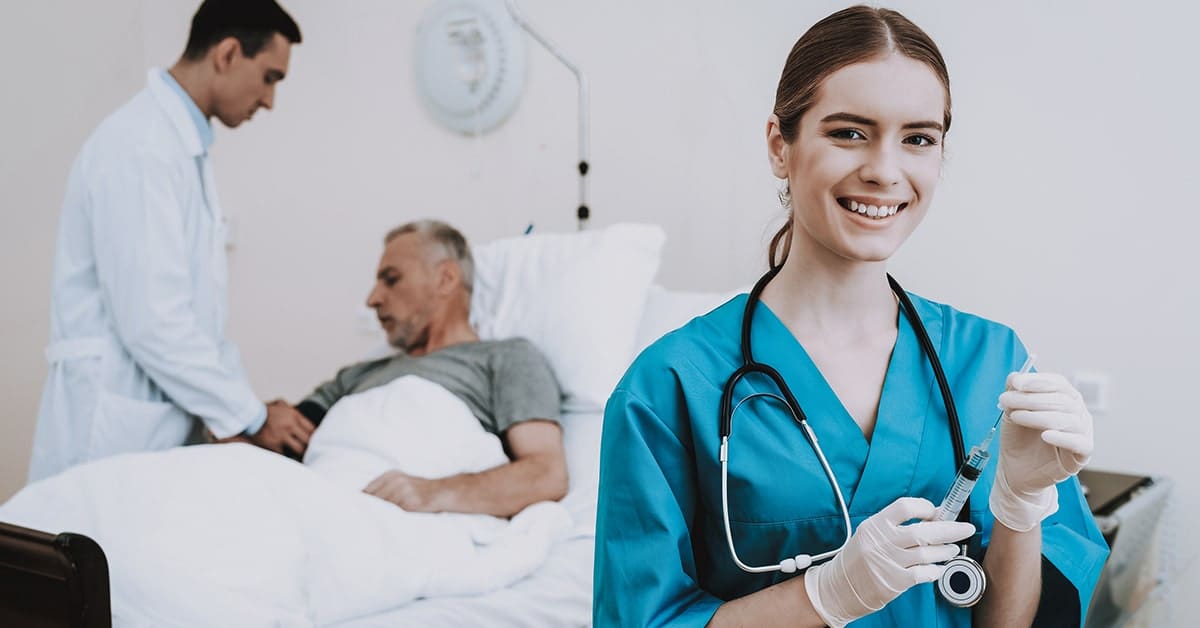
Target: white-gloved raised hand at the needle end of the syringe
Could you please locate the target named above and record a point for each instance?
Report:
(1046, 438)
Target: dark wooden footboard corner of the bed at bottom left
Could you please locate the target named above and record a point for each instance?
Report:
(51, 582)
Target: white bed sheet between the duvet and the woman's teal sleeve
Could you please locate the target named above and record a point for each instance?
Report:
(559, 595)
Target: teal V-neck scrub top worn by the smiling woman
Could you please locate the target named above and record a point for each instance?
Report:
(661, 554)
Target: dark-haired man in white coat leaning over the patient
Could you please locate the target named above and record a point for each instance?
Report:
(139, 352)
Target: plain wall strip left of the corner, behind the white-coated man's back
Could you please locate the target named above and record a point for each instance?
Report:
(65, 65)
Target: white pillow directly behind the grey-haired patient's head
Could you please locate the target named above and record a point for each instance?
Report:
(578, 297)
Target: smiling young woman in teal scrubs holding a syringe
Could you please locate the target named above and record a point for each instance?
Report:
(715, 498)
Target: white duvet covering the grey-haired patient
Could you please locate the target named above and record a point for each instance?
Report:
(231, 535)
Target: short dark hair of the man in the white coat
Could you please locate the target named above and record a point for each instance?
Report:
(254, 23)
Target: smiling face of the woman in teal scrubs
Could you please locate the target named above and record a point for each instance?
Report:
(869, 143)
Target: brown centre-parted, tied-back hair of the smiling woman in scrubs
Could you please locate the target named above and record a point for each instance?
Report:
(849, 37)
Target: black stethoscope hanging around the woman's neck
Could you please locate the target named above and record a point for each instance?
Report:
(963, 584)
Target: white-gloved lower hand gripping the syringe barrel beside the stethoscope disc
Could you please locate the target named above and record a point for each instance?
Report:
(883, 560)
